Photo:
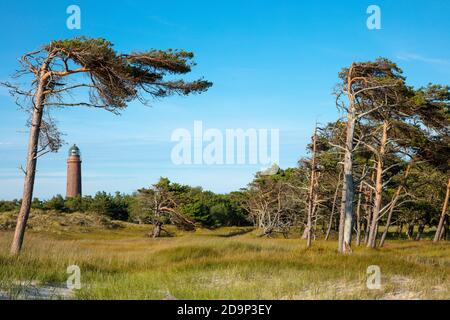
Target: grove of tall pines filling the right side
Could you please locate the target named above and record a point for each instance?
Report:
(384, 165)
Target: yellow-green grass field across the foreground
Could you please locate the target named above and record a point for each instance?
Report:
(228, 263)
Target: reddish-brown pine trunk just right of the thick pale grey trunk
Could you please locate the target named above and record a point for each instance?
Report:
(371, 243)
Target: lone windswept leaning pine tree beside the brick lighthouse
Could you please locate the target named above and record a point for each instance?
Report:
(59, 72)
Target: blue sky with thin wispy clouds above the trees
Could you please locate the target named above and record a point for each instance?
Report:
(273, 64)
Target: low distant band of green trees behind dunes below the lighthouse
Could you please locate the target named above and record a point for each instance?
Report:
(203, 208)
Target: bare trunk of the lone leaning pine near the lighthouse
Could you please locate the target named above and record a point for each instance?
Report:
(30, 171)
